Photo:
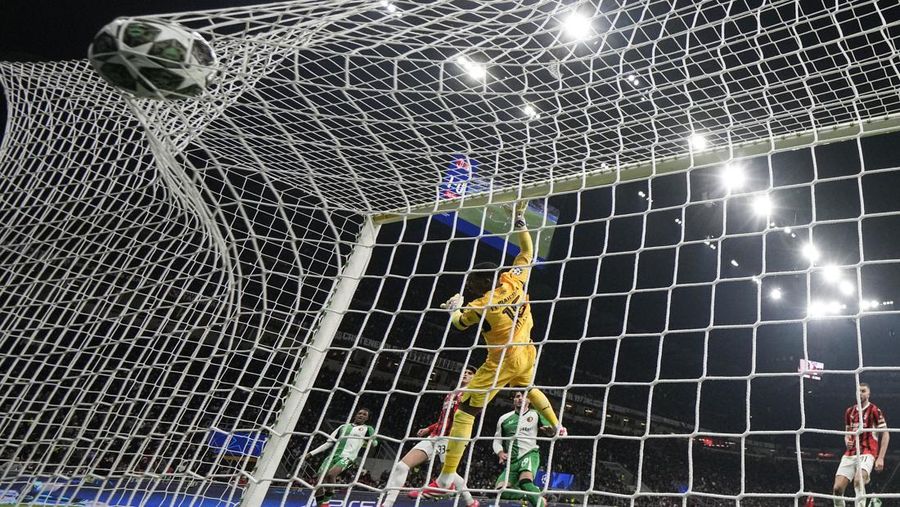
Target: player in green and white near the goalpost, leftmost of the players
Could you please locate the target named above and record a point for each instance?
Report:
(348, 439)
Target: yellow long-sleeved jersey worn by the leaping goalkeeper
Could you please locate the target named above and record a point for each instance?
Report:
(506, 311)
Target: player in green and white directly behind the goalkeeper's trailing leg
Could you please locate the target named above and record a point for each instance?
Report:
(515, 444)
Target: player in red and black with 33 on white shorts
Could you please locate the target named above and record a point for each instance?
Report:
(435, 445)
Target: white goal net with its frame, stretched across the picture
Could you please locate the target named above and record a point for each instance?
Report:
(197, 293)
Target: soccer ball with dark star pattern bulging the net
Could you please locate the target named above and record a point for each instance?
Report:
(152, 59)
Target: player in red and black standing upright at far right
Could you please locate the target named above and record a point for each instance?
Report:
(864, 451)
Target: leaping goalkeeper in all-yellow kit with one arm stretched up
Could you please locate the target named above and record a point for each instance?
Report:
(504, 313)
